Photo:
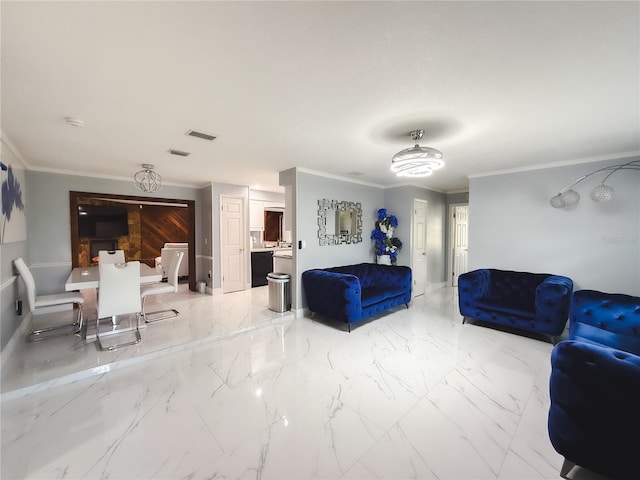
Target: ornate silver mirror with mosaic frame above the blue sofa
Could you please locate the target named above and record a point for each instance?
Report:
(339, 222)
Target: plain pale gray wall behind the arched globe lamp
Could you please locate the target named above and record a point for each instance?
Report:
(512, 226)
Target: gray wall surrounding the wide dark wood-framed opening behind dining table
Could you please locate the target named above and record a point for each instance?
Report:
(49, 237)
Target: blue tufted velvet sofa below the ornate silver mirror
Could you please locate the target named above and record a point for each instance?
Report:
(352, 293)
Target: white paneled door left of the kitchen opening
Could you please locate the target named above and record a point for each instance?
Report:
(232, 245)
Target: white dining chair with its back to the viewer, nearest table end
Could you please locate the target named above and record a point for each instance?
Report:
(119, 288)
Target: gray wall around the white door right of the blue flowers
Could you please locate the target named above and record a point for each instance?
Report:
(399, 201)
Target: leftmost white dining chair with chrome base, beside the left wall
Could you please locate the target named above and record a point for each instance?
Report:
(36, 301)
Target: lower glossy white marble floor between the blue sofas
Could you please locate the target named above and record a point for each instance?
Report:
(413, 394)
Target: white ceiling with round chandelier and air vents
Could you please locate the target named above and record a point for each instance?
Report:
(334, 87)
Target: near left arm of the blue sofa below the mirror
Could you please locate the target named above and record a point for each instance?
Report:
(335, 295)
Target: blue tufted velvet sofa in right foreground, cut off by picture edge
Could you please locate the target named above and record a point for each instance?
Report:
(594, 388)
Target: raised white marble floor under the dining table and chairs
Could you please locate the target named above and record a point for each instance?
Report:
(202, 318)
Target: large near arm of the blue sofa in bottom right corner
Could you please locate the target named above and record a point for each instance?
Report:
(595, 393)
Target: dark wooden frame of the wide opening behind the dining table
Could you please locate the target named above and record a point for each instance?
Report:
(191, 206)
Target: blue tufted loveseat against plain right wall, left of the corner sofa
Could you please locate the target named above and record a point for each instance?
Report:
(535, 302)
